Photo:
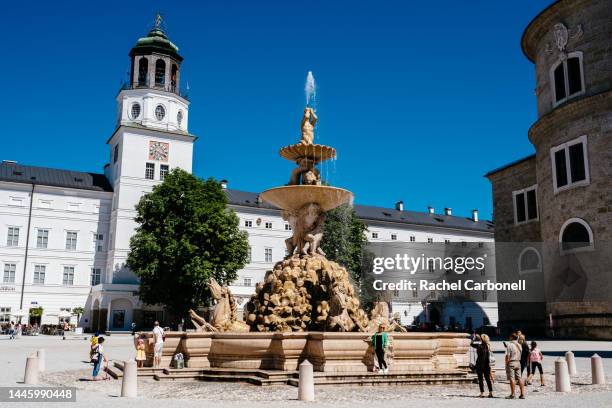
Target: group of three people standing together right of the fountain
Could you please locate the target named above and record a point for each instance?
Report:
(519, 357)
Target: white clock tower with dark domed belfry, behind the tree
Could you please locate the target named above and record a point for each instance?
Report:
(151, 138)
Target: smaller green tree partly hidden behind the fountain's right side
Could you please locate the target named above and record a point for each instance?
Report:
(344, 240)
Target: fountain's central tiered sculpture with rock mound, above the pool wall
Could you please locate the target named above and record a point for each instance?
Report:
(306, 291)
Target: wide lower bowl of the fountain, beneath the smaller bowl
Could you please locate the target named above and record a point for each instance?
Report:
(293, 198)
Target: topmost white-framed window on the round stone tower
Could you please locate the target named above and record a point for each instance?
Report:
(567, 78)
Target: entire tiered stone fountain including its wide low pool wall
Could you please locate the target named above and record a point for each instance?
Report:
(306, 307)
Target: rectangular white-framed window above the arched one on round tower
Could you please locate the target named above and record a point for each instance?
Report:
(570, 164)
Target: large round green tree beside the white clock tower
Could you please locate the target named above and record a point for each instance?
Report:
(186, 235)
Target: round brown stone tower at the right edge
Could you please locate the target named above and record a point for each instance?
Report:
(569, 43)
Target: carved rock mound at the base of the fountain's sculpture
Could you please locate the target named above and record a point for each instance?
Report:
(307, 293)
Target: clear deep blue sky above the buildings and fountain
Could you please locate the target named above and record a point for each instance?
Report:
(419, 98)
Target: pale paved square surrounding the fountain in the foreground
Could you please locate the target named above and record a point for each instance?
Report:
(66, 367)
